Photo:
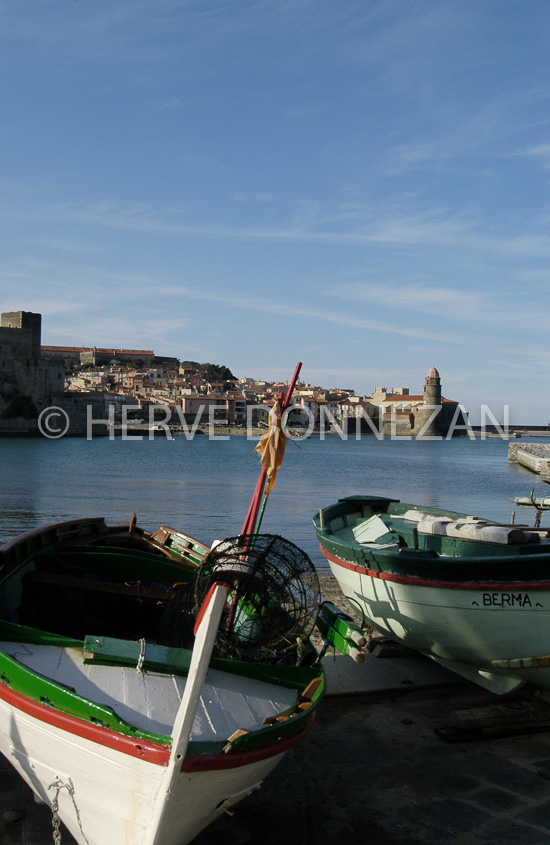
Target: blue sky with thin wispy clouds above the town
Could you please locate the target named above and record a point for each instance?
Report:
(359, 185)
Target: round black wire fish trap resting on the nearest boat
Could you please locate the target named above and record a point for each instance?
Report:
(273, 601)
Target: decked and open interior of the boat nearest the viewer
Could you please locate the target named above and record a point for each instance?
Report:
(95, 626)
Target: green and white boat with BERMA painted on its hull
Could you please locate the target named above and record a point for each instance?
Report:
(472, 594)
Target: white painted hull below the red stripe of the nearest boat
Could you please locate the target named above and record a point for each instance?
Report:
(114, 793)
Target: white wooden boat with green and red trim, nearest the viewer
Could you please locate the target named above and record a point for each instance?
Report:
(131, 741)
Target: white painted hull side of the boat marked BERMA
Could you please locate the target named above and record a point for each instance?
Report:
(499, 639)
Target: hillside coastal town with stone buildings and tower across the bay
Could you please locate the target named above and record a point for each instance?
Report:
(137, 386)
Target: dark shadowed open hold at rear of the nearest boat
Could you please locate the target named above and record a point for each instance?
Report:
(71, 590)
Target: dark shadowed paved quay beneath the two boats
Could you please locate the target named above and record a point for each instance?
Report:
(372, 770)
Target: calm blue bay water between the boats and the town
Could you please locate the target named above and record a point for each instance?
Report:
(204, 486)
